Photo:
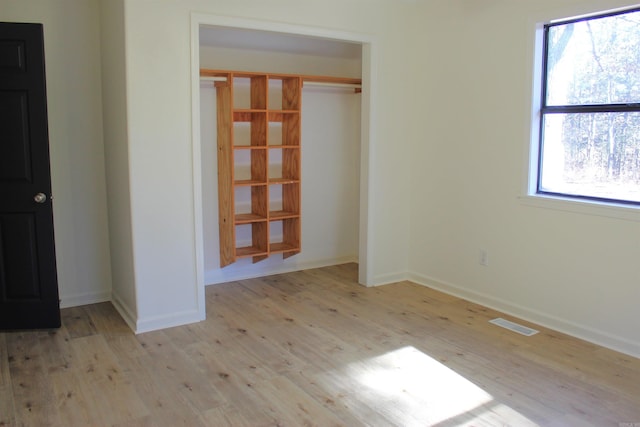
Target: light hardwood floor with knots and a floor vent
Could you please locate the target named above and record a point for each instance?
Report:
(313, 348)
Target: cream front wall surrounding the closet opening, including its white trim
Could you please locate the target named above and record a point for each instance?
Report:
(158, 43)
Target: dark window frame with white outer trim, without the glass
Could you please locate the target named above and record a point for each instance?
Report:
(545, 109)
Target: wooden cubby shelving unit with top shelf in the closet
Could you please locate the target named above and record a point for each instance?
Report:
(259, 174)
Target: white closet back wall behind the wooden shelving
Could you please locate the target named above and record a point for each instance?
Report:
(330, 163)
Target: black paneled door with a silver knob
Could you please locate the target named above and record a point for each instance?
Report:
(28, 278)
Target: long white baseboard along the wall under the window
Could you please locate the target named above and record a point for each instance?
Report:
(543, 319)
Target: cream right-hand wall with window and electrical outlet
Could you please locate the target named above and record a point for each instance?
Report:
(571, 270)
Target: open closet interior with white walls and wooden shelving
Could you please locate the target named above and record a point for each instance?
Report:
(267, 201)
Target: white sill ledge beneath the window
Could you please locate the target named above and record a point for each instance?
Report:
(619, 211)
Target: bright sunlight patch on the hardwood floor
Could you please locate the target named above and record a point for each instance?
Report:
(411, 388)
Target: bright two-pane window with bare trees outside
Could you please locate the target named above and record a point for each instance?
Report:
(590, 109)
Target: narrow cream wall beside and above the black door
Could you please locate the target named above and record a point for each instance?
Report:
(72, 56)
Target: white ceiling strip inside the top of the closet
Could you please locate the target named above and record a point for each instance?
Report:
(236, 38)
